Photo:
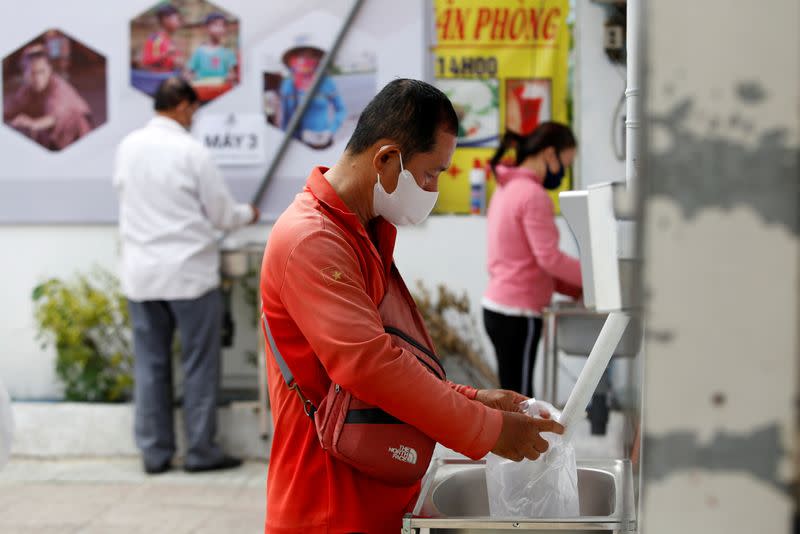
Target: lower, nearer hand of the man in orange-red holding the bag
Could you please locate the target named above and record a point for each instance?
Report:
(520, 437)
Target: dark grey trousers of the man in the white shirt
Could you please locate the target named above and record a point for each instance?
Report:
(198, 322)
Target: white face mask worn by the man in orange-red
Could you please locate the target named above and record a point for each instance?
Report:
(408, 204)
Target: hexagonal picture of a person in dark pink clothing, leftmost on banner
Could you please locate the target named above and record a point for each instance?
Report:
(54, 90)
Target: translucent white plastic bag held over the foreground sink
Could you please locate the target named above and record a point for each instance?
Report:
(547, 487)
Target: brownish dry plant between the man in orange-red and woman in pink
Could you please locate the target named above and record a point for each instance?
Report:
(453, 328)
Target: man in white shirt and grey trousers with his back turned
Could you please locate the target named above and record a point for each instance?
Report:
(173, 202)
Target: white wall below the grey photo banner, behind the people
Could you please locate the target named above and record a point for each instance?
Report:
(449, 250)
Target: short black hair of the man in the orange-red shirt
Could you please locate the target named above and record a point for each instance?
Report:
(410, 113)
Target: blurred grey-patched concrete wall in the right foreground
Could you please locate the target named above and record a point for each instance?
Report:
(722, 273)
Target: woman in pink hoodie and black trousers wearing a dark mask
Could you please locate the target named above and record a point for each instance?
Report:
(525, 264)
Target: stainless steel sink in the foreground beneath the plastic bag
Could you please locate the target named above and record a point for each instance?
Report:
(454, 499)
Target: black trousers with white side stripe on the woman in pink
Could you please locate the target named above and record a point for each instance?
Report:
(515, 341)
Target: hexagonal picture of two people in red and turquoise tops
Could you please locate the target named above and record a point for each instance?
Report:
(195, 39)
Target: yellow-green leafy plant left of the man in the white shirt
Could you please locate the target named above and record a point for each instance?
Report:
(87, 321)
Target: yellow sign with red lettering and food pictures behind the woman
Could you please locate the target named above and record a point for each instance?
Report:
(503, 64)
